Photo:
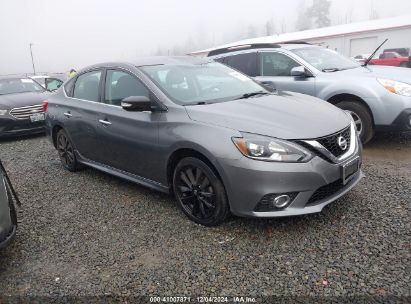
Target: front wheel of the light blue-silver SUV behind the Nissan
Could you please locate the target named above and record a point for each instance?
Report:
(361, 117)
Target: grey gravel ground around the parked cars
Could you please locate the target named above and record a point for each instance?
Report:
(88, 234)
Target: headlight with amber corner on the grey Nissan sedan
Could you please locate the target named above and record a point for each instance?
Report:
(270, 149)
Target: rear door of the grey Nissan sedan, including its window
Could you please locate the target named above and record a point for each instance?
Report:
(80, 113)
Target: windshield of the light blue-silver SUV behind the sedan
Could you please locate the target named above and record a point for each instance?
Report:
(325, 60)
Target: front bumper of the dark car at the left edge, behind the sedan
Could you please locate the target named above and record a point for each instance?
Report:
(10, 126)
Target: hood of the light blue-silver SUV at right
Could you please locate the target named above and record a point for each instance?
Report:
(386, 72)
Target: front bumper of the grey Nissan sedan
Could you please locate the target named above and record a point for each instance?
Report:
(248, 181)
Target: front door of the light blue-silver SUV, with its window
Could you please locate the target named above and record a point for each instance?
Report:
(276, 67)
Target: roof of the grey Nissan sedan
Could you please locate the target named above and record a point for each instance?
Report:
(153, 60)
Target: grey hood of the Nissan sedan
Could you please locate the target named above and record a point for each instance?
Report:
(284, 115)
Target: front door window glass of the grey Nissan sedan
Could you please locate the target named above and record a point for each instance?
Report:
(120, 85)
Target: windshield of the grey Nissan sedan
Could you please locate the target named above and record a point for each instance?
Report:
(205, 83)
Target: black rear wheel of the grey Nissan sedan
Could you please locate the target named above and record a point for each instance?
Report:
(66, 152)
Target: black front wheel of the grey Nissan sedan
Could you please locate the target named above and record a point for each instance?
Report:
(199, 192)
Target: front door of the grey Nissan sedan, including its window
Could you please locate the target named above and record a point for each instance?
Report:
(129, 139)
